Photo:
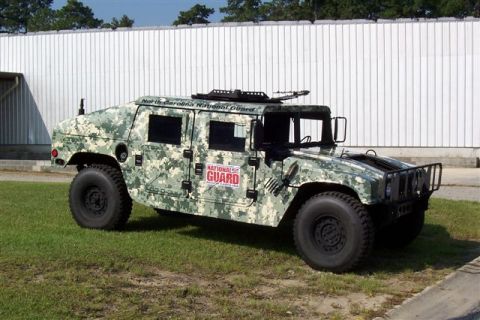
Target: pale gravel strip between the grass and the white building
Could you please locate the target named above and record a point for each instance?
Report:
(457, 183)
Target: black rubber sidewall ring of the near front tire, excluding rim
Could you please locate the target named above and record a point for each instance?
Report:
(323, 207)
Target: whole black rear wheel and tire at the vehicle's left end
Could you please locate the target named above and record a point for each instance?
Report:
(99, 198)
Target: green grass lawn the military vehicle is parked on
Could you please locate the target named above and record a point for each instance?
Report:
(181, 267)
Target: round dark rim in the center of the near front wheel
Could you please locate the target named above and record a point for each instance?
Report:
(329, 235)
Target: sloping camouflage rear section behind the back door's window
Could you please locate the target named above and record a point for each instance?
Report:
(111, 123)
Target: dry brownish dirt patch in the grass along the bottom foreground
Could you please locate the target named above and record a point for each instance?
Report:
(242, 295)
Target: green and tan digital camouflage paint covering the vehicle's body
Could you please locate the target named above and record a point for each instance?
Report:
(157, 180)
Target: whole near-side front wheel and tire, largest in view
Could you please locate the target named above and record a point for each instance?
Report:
(334, 232)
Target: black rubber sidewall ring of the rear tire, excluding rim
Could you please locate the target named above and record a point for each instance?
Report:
(93, 177)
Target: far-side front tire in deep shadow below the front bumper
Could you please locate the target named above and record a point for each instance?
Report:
(403, 231)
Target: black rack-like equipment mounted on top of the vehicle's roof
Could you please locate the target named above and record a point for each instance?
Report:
(246, 96)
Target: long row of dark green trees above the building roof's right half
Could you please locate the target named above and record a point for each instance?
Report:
(276, 10)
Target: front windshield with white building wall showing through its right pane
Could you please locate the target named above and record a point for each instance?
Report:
(296, 130)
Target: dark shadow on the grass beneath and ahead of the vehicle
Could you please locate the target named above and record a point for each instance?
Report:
(434, 248)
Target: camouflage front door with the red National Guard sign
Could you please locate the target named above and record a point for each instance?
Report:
(224, 166)
